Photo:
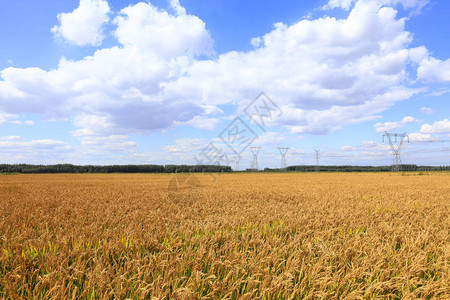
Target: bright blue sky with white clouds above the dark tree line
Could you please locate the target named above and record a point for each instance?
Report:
(117, 82)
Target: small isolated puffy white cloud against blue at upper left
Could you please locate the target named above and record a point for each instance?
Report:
(83, 26)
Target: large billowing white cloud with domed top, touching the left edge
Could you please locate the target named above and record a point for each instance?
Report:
(117, 90)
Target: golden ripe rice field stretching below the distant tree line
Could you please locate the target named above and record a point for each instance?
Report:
(263, 236)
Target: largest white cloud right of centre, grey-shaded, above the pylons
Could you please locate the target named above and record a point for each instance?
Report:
(326, 73)
